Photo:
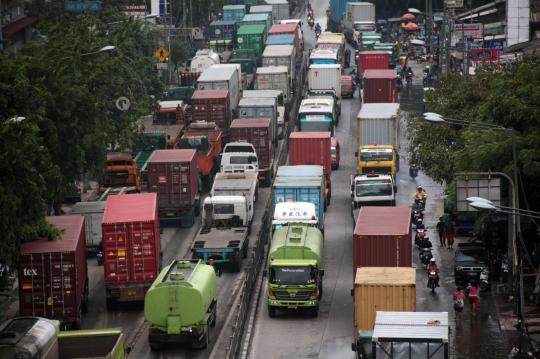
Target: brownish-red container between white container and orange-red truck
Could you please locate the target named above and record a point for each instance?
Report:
(212, 106)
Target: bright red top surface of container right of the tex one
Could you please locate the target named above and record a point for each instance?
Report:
(129, 208)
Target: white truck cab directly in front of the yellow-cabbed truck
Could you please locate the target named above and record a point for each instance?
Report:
(372, 189)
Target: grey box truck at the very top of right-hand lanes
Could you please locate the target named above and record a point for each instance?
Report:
(359, 19)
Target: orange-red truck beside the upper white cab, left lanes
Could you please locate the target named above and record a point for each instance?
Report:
(205, 138)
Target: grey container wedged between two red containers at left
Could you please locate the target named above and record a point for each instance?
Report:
(93, 214)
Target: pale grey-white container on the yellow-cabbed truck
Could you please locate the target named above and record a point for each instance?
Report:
(377, 124)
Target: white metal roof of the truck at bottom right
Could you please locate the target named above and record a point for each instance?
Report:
(432, 326)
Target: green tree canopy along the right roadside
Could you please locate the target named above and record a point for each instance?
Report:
(507, 96)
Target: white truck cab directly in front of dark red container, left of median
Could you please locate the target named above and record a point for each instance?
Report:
(239, 157)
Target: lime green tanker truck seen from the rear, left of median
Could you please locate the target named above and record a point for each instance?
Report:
(181, 305)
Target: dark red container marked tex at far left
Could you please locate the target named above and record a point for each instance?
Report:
(53, 279)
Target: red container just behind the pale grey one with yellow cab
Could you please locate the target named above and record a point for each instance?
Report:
(380, 86)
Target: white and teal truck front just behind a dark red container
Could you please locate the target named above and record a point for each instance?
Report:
(316, 115)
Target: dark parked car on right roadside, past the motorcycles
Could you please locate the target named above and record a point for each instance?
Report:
(469, 261)
